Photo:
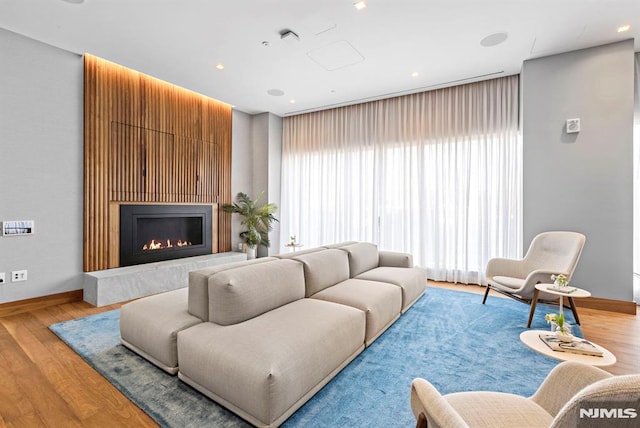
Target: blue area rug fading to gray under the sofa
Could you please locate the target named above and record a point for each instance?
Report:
(447, 337)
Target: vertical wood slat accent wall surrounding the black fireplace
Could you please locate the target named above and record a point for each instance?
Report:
(147, 141)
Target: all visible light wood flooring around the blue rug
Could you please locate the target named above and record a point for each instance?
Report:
(44, 383)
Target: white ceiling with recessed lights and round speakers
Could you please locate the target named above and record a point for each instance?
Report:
(342, 55)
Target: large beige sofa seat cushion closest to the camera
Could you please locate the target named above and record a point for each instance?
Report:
(267, 367)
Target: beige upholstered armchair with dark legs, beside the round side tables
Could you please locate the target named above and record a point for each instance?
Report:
(549, 253)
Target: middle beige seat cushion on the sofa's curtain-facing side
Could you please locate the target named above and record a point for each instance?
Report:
(380, 302)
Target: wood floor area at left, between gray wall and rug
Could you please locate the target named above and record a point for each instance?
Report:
(48, 384)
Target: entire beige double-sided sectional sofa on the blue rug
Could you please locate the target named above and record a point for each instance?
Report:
(262, 337)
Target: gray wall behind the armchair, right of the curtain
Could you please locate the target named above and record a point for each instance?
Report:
(583, 181)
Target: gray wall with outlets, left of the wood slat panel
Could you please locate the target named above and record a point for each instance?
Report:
(41, 165)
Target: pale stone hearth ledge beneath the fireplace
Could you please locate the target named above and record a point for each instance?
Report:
(109, 286)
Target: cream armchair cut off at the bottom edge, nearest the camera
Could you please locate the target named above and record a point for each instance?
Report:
(567, 389)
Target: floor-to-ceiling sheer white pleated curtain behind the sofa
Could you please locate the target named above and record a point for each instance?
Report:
(437, 174)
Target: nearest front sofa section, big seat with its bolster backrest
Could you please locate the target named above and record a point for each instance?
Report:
(268, 348)
